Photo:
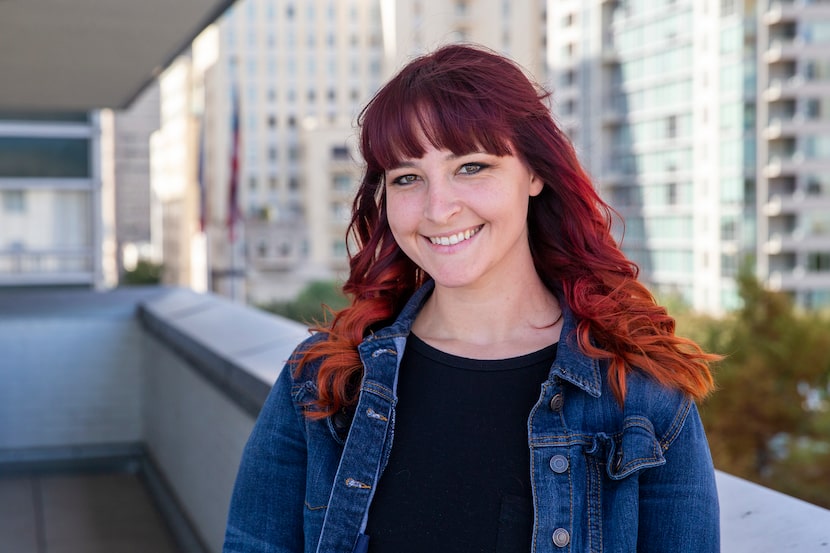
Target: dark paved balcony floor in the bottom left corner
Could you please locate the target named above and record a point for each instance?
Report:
(80, 513)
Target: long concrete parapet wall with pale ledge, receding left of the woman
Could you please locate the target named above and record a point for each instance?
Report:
(208, 365)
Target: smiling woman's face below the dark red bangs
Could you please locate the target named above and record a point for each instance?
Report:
(463, 219)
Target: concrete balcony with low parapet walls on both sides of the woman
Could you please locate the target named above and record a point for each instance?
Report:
(167, 383)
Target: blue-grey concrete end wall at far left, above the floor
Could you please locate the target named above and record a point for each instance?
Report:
(53, 349)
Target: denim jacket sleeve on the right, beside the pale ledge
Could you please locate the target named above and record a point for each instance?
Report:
(679, 510)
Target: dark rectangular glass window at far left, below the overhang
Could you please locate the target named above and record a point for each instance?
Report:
(44, 157)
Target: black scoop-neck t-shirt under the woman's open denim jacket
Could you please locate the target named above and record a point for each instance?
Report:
(458, 477)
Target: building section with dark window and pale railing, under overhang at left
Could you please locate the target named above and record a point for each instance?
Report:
(55, 221)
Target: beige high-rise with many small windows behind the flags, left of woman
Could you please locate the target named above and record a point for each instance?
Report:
(299, 70)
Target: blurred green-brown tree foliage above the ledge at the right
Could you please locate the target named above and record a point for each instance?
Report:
(768, 421)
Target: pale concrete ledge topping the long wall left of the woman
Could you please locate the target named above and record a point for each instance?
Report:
(239, 349)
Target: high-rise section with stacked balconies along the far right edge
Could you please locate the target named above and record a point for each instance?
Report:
(793, 185)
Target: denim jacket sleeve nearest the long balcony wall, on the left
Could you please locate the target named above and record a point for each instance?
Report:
(266, 510)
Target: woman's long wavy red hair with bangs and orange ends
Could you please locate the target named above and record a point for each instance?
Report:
(462, 99)
